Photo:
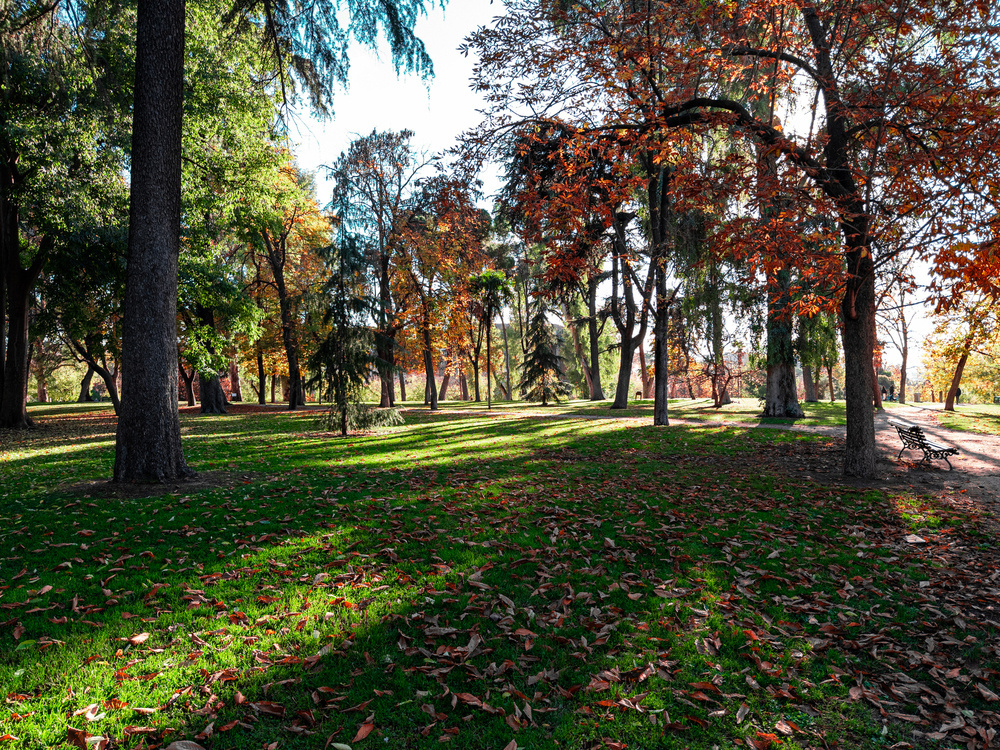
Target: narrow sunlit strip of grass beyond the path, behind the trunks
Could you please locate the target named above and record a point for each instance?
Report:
(740, 410)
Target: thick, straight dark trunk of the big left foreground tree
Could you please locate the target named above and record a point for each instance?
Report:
(148, 443)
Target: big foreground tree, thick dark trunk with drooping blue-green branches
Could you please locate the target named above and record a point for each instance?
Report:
(147, 446)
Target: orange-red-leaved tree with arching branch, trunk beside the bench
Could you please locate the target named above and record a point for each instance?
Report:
(904, 103)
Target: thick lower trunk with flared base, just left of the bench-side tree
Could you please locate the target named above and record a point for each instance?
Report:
(781, 393)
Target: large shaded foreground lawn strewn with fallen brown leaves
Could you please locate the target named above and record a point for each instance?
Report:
(479, 581)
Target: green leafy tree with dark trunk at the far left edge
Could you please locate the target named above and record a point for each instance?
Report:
(61, 158)
